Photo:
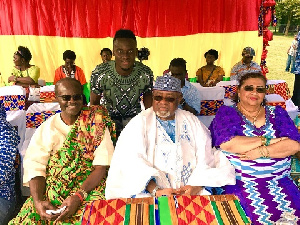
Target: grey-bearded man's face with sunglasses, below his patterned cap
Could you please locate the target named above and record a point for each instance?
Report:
(165, 103)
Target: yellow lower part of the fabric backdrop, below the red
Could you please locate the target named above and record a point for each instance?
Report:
(47, 51)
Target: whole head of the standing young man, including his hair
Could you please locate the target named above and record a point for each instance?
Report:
(125, 51)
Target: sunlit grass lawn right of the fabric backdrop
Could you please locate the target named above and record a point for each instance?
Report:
(276, 60)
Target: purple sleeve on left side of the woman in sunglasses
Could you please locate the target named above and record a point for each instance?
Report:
(225, 126)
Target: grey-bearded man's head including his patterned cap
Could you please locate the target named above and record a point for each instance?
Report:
(166, 97)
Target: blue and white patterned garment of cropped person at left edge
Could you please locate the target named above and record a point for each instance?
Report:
(9, 141)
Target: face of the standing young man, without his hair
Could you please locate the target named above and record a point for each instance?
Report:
(125, 52)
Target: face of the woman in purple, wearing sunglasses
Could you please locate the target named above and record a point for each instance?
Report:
(251, 98)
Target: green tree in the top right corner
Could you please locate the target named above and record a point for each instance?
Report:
(288, 12)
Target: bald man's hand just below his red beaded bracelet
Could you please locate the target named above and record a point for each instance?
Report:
(72, 203)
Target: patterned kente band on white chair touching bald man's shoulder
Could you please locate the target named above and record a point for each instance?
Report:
(34, 120)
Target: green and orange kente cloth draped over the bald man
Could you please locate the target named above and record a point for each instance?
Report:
(69, 167)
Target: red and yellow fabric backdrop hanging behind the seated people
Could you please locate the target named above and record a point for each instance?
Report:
(178, 28)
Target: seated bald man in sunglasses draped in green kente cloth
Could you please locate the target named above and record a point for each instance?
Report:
(66, 160)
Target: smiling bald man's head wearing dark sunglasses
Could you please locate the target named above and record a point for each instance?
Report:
(69, 95)
